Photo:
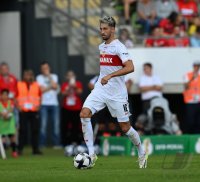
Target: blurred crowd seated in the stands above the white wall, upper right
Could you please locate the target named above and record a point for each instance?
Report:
(164, 23)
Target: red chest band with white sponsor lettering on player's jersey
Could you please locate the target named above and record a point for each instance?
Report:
(110, 60)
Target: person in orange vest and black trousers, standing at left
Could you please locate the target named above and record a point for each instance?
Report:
(28, 102)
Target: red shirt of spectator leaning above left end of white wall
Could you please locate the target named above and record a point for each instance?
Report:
(160, 42)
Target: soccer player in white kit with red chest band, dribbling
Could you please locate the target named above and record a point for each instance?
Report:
(110, 90)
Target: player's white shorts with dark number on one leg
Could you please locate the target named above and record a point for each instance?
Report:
(118, 108)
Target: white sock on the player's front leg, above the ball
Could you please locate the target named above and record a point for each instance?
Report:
(88, 134)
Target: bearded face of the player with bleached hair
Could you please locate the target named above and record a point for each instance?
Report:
(106, 31)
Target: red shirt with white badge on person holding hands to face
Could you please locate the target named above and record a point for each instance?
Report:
(72, 101)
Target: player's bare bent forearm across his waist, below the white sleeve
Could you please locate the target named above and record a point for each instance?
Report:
(128, 68)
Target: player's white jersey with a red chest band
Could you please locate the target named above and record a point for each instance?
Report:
(112, 58)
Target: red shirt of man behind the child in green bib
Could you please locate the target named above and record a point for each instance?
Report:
(9, 83)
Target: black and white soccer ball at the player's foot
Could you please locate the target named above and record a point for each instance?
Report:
(82, 161)
